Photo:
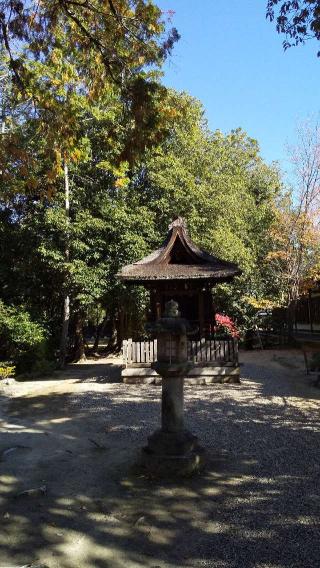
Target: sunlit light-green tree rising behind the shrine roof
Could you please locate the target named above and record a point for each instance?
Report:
(220, 184)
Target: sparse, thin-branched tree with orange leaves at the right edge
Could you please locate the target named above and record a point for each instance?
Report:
(294, 249)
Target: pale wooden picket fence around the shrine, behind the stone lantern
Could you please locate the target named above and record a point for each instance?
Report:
(203, 351)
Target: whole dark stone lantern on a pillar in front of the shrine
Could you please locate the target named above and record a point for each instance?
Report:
(172, 450)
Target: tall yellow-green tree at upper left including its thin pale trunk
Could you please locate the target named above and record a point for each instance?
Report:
(70, 64)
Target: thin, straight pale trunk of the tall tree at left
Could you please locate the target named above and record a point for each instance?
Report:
(66, 303)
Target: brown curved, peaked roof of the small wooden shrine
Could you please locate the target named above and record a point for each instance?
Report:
(179, 258)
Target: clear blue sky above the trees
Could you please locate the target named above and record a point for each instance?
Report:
(232, 59)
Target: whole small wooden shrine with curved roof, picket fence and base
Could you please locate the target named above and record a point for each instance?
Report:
(181, 271)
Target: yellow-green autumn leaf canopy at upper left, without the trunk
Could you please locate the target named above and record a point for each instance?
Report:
(70, 59)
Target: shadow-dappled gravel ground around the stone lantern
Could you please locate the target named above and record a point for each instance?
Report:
(256, 505)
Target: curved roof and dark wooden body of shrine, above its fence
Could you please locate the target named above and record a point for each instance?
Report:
(181, 271)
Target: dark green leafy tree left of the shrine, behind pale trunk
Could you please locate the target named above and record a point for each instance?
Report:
(104, 230)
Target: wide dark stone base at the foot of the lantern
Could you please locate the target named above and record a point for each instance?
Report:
(172, 454)
